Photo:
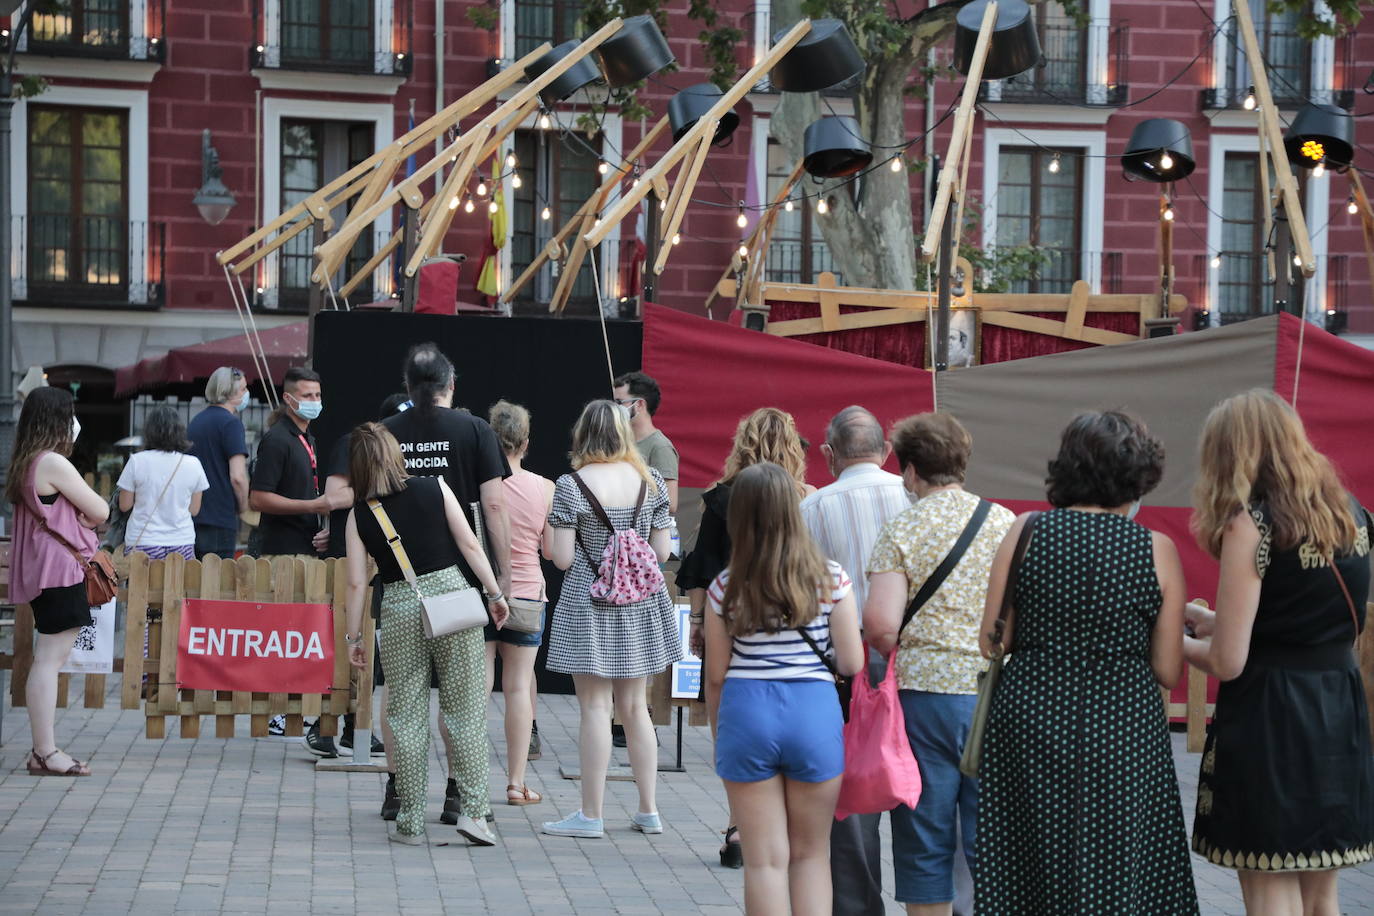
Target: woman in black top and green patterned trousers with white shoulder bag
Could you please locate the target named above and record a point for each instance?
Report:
(432, 534)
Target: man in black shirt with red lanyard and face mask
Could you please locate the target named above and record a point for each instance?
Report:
(285, 487)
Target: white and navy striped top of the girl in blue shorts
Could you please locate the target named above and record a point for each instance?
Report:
(784, 656)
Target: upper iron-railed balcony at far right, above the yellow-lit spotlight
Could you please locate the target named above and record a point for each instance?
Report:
(1289, 62)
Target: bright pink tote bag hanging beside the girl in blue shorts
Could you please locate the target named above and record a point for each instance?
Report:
(880, 768)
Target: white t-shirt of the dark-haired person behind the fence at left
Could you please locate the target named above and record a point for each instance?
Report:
(170, 524)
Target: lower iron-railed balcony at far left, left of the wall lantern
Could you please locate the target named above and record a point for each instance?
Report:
(87, 262)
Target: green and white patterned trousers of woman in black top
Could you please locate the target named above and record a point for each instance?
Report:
(461, 660)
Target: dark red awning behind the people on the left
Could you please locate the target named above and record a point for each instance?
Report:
(285, 348)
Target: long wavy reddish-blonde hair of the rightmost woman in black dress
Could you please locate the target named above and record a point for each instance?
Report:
(1257, 451)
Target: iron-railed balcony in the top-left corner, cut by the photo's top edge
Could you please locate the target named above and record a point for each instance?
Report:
(94, 30)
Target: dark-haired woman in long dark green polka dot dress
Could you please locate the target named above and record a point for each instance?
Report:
(1078, 803)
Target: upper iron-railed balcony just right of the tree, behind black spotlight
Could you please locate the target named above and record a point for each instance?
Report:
(1081, 65)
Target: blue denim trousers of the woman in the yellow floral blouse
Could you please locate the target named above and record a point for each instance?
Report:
(924, 840)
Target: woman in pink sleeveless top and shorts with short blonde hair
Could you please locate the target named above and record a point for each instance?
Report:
(528, 501)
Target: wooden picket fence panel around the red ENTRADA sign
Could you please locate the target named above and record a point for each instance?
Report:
(153, 619)
